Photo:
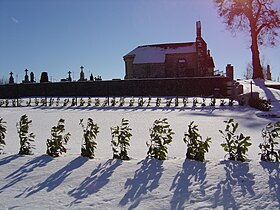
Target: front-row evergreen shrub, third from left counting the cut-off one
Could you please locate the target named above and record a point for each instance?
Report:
(55, 145)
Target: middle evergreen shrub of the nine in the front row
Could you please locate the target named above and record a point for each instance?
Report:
(120, 140)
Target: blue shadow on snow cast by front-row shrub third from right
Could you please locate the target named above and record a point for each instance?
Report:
(192, 171)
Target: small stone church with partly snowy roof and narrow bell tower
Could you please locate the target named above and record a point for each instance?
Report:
(175, 60)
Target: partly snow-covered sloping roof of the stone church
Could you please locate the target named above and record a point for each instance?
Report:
(156, 53)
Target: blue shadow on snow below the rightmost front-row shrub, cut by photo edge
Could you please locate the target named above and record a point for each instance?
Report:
(273, 169)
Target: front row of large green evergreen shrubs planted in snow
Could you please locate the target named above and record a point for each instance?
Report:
(161, 136)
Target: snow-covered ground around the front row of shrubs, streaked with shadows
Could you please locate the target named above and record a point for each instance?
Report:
(74, 182)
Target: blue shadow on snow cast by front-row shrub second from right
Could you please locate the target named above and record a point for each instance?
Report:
(237, 173)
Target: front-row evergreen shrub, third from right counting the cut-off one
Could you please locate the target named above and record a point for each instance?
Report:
(196, 147)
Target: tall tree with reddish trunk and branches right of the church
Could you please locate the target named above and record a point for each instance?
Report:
(259, 17)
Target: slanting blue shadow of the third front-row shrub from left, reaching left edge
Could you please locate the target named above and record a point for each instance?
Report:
(24, 170)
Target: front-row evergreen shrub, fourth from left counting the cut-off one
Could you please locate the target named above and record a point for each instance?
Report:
(89, 135)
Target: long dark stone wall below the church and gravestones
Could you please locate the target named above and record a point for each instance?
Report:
(197, 86)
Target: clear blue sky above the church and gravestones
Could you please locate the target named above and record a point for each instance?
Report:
(61, 35)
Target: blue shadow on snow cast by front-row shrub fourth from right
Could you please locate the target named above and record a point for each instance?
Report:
(146, 179)
